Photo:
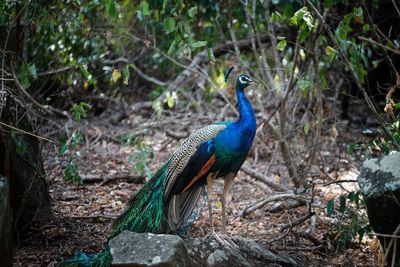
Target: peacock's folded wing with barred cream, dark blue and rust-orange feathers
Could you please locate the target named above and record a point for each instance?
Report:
(193, 159)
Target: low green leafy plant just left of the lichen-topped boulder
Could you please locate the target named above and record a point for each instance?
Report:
(350, 220)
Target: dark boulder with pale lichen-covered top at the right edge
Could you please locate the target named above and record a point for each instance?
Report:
(379, 182)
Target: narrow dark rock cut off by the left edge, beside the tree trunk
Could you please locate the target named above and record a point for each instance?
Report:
(5, 223)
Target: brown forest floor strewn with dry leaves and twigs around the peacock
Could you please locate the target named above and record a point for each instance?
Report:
(109, 164)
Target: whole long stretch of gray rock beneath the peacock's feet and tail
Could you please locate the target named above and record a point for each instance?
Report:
(132, 249)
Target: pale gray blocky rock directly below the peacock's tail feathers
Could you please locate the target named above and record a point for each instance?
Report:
(144, 249)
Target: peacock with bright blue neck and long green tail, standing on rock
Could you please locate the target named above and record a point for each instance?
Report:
(167, 200)
